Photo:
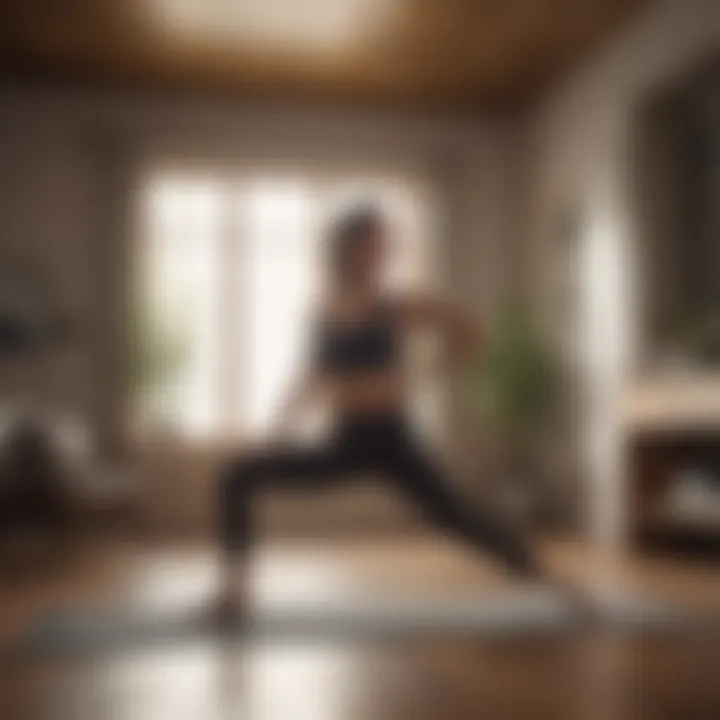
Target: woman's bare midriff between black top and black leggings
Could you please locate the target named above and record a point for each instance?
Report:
(365, 393)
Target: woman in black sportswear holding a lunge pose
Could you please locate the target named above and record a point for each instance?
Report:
(356, 366)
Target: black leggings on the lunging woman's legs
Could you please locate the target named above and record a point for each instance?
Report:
(384, 445)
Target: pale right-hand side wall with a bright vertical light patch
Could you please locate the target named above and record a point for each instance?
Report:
(582, 143)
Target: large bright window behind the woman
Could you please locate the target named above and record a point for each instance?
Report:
(228, 266)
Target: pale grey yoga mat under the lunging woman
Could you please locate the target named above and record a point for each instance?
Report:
(501, 615)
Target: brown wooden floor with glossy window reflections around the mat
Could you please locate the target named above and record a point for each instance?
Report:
(593, 677)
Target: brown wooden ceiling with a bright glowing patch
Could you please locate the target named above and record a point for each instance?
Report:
(469, 53)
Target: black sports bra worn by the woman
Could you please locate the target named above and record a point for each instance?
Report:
(372, 344)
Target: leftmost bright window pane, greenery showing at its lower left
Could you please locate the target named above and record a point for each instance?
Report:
(177, 318)
